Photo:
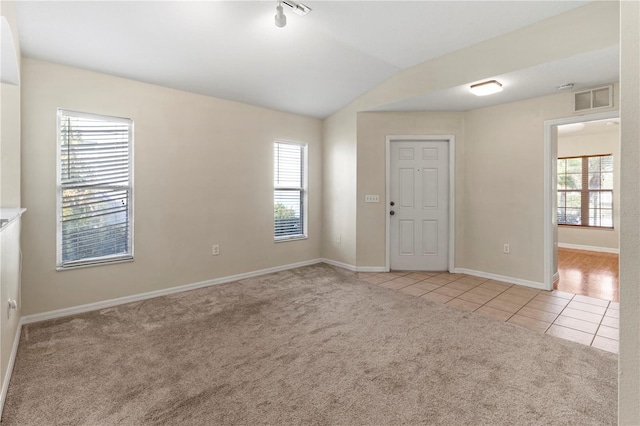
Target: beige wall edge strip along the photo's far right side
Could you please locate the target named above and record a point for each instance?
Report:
(629, 385)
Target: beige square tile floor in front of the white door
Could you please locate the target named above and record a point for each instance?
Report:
(586, 320)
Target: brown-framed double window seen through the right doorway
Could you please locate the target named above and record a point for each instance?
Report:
(585, 191)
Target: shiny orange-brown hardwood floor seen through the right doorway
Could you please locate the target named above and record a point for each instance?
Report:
(588, 273)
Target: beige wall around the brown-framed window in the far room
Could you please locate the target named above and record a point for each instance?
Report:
(605, 141)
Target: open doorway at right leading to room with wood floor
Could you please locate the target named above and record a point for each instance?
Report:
(582, 229)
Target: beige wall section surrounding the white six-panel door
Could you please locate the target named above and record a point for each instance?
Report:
(373, 129)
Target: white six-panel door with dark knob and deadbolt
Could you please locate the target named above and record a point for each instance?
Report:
(419, 206)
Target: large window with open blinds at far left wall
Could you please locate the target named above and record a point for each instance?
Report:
(95, 189)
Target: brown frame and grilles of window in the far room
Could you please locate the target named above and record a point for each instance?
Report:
(585, 192)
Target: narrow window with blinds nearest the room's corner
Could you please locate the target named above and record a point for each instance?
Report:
(289, 195)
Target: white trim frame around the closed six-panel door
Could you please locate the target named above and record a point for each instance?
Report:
(451, 141)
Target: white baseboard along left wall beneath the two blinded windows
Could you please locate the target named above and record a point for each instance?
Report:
(28, 319)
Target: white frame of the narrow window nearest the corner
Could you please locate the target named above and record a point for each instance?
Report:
(303, 189)
